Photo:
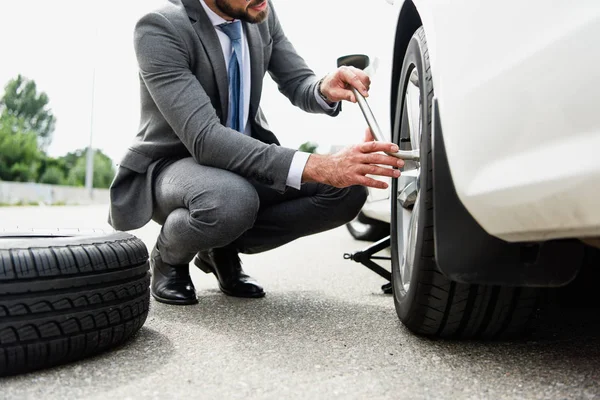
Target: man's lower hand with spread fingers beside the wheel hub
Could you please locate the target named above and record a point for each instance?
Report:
(351, 165)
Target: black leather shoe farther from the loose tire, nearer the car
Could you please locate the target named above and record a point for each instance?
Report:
(227, 267)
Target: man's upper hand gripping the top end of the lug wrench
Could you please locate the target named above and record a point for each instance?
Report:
(337, 85)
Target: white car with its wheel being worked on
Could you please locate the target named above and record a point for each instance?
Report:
(502, 99)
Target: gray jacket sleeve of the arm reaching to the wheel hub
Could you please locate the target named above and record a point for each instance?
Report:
(165, 69)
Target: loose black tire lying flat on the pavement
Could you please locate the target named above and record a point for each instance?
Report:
(63, 298)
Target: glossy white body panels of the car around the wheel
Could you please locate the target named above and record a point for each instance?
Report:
(517, 85)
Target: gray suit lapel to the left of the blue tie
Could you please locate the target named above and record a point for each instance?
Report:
(208, 36)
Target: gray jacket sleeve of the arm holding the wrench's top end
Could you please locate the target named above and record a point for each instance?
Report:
(293, 77)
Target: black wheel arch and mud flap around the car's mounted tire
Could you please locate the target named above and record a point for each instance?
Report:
(483, 259)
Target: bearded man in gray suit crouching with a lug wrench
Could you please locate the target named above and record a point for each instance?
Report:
(204, 163)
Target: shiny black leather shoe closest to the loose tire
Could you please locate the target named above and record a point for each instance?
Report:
(171, 284)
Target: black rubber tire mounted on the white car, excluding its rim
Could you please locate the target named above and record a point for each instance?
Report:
(448, 309)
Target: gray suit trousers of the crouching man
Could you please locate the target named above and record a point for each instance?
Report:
(201, 207)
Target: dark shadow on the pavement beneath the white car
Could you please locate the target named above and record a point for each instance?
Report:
(564, 344)
